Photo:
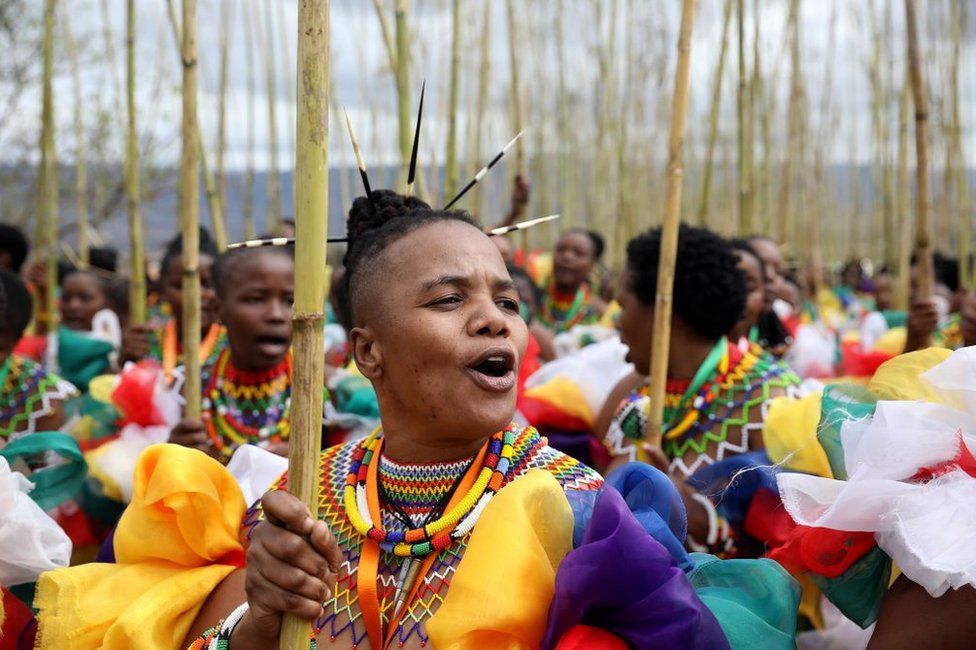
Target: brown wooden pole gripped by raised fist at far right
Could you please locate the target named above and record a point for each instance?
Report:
(923, 226)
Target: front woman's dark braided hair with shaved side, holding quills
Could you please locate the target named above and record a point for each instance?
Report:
(373, 225)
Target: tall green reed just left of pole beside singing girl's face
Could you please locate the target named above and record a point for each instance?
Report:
(137, 283)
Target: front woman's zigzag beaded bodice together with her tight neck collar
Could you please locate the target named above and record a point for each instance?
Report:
(413, 487)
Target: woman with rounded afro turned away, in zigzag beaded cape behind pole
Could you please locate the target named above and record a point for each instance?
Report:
(718, 395)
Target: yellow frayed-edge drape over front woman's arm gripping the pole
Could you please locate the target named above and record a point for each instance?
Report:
(174, 544)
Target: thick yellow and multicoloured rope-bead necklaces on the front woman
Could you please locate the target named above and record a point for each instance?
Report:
(457, 521)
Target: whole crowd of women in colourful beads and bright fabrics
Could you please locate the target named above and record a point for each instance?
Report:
(488, 476)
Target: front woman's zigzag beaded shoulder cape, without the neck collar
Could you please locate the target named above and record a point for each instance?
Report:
(343, 619)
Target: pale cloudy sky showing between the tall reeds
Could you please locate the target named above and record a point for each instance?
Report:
(363, 84)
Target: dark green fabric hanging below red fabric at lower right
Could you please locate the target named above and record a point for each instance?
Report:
(859, 591)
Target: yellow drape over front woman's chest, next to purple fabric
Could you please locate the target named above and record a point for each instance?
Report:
(500, 595)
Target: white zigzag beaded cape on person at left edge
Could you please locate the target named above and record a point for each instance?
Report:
(27, 396)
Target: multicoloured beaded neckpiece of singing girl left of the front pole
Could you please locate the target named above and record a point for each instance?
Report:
(247, 407)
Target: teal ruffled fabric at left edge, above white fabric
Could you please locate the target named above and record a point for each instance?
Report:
(53, 485)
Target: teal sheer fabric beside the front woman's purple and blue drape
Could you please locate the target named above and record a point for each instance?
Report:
(755, 601)
